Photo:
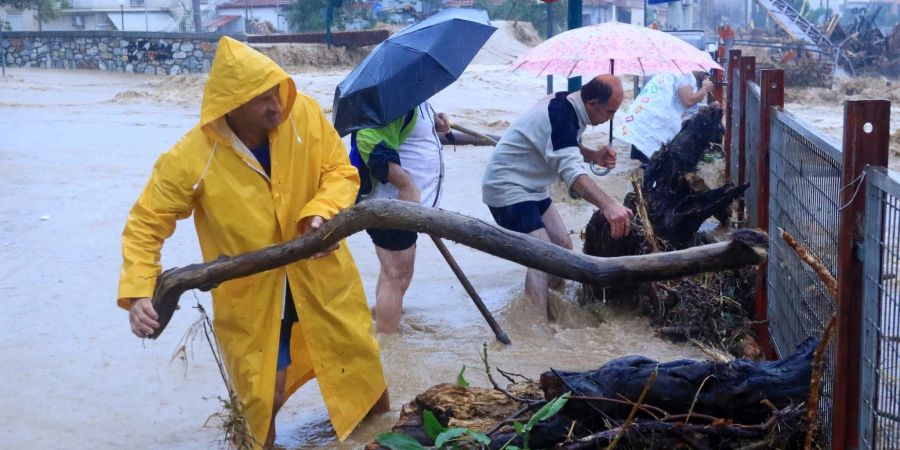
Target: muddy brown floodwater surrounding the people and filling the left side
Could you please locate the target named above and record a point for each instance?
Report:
(76, 148)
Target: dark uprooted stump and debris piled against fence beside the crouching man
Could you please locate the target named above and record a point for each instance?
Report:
(670, 203)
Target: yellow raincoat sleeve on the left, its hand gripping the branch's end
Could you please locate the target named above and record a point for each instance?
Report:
(167, 197)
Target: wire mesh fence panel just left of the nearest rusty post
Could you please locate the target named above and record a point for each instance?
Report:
(804, 197)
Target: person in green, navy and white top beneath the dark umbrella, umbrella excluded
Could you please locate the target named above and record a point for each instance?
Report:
(404, 162)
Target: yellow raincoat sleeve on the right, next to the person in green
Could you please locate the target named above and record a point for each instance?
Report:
(339, 180)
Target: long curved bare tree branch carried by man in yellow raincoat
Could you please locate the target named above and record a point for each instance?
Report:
(745, 248)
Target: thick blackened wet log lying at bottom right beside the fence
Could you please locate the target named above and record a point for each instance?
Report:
(734, 390)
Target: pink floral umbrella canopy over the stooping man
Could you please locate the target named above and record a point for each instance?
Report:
(613, 47)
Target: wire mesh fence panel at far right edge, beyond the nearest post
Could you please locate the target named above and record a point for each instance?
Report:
(880, 380)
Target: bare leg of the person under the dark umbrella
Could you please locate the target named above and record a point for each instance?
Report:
(393, 280)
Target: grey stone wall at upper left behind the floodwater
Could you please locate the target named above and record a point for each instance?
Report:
(135, 52)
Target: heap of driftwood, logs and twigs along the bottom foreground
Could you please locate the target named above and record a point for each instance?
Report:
(637, 402)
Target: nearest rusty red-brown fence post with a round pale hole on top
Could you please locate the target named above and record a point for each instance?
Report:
(866, 134)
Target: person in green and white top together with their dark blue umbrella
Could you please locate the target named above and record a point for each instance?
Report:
(384, 100)
